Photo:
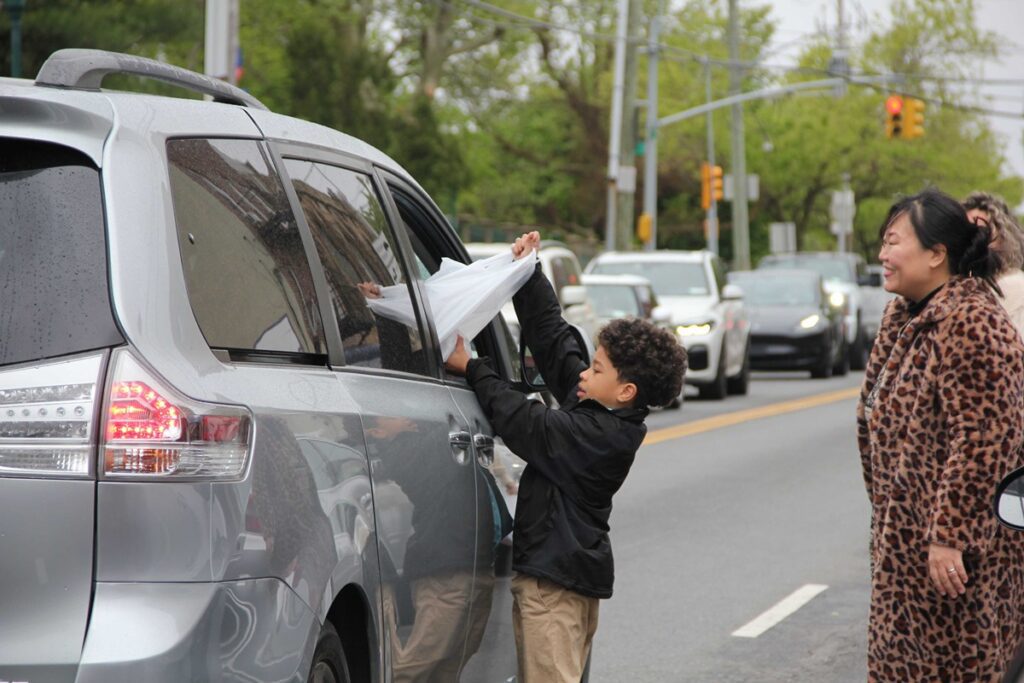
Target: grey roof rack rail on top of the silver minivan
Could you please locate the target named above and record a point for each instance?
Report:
(86, 70)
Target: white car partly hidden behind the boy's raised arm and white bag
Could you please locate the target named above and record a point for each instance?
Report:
(562, 267)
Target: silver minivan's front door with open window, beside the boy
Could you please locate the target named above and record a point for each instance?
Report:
(490, 650)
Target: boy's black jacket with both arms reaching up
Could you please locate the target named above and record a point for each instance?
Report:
(578, 456)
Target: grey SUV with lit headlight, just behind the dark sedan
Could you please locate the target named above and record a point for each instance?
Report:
(844, 275)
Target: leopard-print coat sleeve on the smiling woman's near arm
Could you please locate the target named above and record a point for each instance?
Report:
(980, 393)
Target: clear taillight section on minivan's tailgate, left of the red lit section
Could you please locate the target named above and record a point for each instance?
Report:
(47, 416)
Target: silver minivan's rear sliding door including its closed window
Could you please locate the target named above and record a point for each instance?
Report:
(420, 450)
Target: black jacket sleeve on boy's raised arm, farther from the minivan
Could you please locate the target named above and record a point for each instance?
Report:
(549, 337)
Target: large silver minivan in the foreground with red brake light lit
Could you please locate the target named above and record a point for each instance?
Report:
(216, 462)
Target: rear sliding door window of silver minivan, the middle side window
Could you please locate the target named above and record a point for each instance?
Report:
(353, 237)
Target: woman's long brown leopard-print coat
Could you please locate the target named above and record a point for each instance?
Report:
(941, 422)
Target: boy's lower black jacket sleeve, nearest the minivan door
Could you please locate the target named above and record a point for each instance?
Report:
(547, 439)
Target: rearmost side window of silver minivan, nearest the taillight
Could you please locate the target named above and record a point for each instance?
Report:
(246, 271)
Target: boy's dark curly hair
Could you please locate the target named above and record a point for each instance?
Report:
(649, 357)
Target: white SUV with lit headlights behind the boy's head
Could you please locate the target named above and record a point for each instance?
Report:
(707, 313)
